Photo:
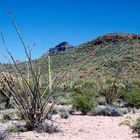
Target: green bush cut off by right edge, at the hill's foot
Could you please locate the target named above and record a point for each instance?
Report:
(133, 97)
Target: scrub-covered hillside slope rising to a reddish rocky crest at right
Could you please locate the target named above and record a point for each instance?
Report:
(111, 54)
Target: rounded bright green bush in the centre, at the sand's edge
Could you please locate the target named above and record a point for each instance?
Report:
(84, 97)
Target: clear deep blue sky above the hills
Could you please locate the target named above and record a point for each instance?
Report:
(49, 22)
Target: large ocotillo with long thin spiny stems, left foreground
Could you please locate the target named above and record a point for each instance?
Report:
(26, 93)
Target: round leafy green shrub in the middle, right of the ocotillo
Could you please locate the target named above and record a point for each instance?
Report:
(83, 99)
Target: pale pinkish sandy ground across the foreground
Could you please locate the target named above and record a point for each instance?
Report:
(79, 127)
